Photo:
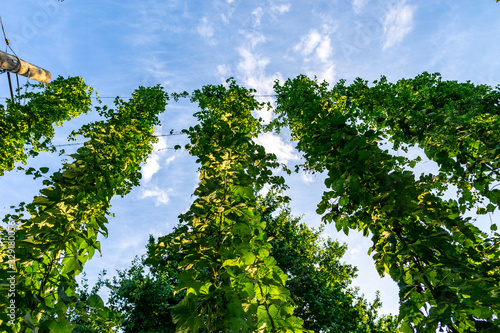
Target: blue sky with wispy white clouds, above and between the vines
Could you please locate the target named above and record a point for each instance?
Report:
(117, 45)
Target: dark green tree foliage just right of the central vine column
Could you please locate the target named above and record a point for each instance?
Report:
(318, 282)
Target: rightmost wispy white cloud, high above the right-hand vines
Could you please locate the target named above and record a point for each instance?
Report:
(398, 23)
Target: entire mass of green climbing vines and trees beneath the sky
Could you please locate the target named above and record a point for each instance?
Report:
(237, 263)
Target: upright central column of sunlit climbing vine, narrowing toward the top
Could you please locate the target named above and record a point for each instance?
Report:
(231, 281)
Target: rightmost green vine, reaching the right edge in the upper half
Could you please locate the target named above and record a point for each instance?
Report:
(456, 124)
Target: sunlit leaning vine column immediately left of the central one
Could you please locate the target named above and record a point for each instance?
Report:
(60, 234)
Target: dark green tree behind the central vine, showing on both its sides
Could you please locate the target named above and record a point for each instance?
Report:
(318, 282)
